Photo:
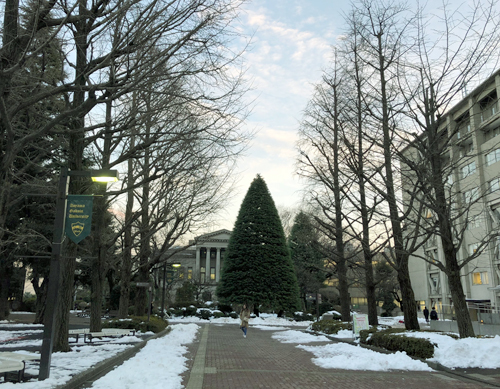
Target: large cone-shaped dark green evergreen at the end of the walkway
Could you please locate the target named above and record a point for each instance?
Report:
(257, 268)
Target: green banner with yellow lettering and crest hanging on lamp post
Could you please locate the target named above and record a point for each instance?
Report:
(78, 217)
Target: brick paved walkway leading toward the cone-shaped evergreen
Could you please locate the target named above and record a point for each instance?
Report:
(222, 359)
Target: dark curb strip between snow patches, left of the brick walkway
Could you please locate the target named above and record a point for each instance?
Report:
(103, 367)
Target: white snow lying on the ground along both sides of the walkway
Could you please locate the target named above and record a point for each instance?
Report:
(163, 360)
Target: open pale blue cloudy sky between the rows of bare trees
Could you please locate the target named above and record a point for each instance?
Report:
(291, 45)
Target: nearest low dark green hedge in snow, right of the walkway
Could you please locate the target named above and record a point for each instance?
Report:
(392, 341)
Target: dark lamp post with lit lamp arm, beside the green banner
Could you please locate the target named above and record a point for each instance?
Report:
(57, 241)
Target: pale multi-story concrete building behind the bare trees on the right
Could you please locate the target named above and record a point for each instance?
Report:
(474, 157)
